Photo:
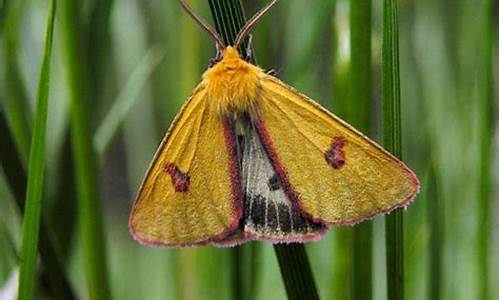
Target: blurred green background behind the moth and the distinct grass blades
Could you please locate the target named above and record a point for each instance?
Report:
(141, 59)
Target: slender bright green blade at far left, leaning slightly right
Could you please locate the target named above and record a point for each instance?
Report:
(31, 220)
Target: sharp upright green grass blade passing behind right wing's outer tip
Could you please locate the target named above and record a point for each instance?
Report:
(391, 112)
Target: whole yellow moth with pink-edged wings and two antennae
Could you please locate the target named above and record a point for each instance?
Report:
(250, 158)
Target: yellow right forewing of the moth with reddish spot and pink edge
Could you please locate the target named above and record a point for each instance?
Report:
(330, 171)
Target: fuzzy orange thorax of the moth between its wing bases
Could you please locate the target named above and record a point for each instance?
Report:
(233, 85)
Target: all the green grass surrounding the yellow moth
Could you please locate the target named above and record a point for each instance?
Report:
(113, 94)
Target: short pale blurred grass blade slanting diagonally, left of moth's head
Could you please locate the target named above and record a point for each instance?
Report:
(126, 99)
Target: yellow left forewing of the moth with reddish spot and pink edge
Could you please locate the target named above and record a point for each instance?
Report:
(189, 195)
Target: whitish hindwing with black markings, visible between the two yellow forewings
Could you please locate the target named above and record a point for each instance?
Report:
(268, 213)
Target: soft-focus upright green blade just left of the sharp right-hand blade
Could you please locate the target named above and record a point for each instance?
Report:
(359, 116)
